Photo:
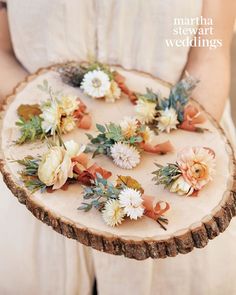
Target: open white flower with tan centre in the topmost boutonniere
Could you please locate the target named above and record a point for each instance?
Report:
(96, 83)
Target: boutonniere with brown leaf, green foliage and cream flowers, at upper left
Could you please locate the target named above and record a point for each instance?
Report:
(59, 114)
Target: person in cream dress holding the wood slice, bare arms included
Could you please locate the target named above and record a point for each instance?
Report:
(136, 34)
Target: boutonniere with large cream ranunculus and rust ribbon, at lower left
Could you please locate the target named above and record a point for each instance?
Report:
(59, 167)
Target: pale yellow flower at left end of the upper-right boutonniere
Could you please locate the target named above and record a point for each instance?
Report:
(145, 110)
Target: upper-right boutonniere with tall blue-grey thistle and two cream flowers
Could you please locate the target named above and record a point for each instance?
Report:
(165, 114)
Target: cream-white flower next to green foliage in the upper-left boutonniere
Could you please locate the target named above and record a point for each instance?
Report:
(51, 116)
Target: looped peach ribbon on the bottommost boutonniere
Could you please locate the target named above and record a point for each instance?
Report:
(152, 209)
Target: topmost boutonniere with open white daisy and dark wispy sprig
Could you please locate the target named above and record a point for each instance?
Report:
(97, 80)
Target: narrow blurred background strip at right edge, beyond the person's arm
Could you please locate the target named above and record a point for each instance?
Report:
(233, 75)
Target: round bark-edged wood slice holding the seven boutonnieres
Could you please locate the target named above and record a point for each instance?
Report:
(192, 221)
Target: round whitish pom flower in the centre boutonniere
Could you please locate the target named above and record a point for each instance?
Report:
(125, 156)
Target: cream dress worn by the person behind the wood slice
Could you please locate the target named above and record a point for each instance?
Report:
(130, 33)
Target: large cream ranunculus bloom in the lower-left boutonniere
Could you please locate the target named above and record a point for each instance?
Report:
(55, 167)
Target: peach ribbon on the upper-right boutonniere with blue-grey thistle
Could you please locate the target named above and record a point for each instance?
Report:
(192, 116)
